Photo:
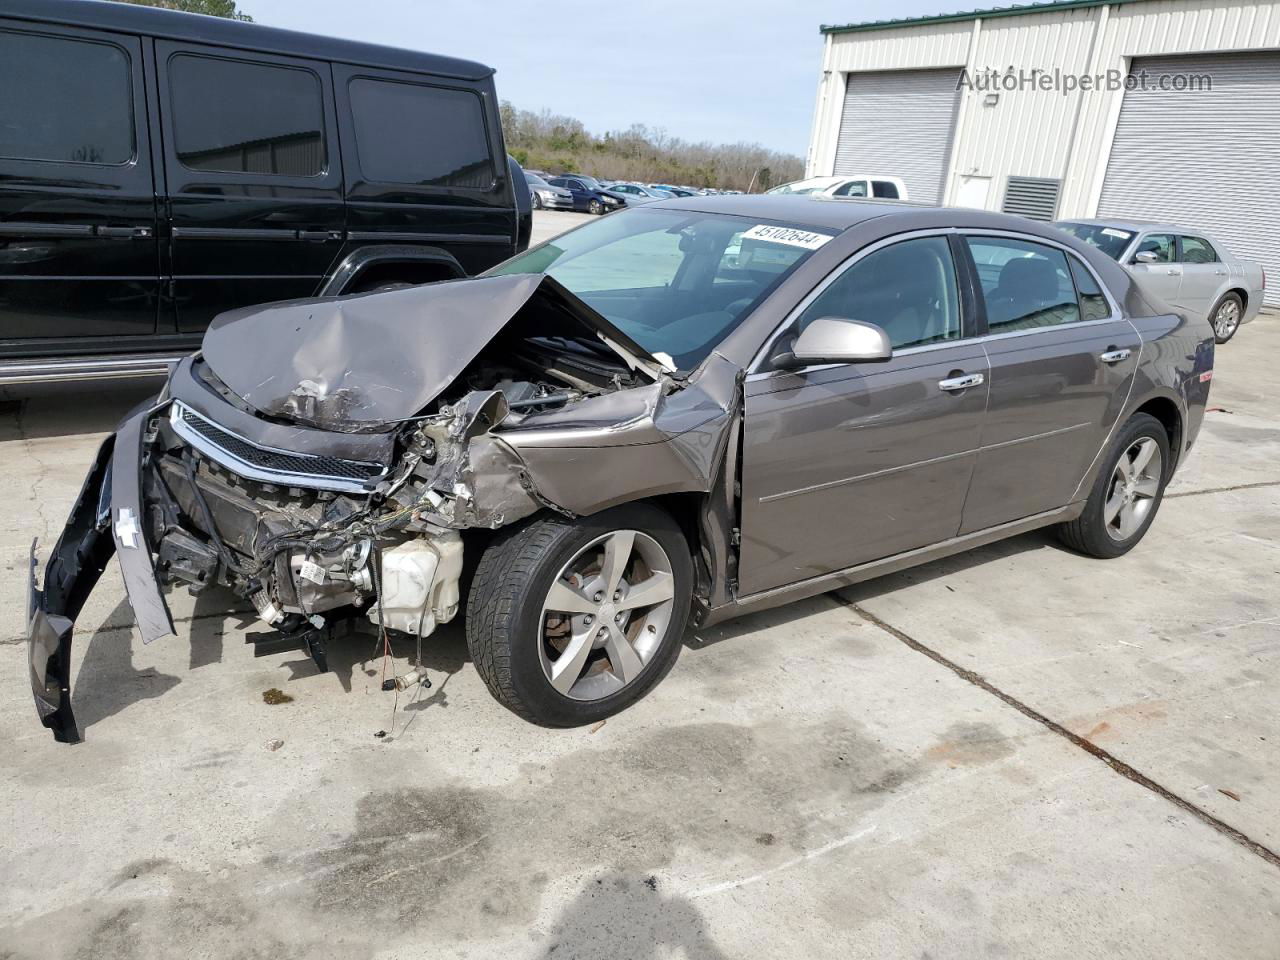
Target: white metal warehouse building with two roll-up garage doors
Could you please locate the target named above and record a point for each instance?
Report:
(1072, 109)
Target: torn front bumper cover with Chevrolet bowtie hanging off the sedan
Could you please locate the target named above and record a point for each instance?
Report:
(112, 497)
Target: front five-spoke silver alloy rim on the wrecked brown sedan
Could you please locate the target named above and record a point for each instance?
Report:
(606, 615)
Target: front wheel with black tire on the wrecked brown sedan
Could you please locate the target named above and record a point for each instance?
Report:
(572, 621)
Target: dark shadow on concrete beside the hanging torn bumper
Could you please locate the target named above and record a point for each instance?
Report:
(108, 682)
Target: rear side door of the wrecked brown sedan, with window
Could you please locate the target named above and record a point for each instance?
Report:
(1063, 360)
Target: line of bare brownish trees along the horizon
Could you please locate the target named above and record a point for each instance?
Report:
(559, 144)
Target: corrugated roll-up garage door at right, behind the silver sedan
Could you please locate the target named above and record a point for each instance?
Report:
(1205, 159)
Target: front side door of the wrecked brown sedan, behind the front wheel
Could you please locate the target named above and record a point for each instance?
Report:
(848, 464)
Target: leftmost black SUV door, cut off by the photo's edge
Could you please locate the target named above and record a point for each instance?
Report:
(79, 252)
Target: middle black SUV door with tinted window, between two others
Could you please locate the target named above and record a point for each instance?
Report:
(254, 177)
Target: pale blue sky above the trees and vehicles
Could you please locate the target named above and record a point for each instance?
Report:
(723, 71)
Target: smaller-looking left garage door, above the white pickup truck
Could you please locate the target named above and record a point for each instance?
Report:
(900, 124)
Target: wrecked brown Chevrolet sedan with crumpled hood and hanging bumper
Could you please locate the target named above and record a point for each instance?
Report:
(689, 412)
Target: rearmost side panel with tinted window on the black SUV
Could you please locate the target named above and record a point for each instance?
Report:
(424, 164)
